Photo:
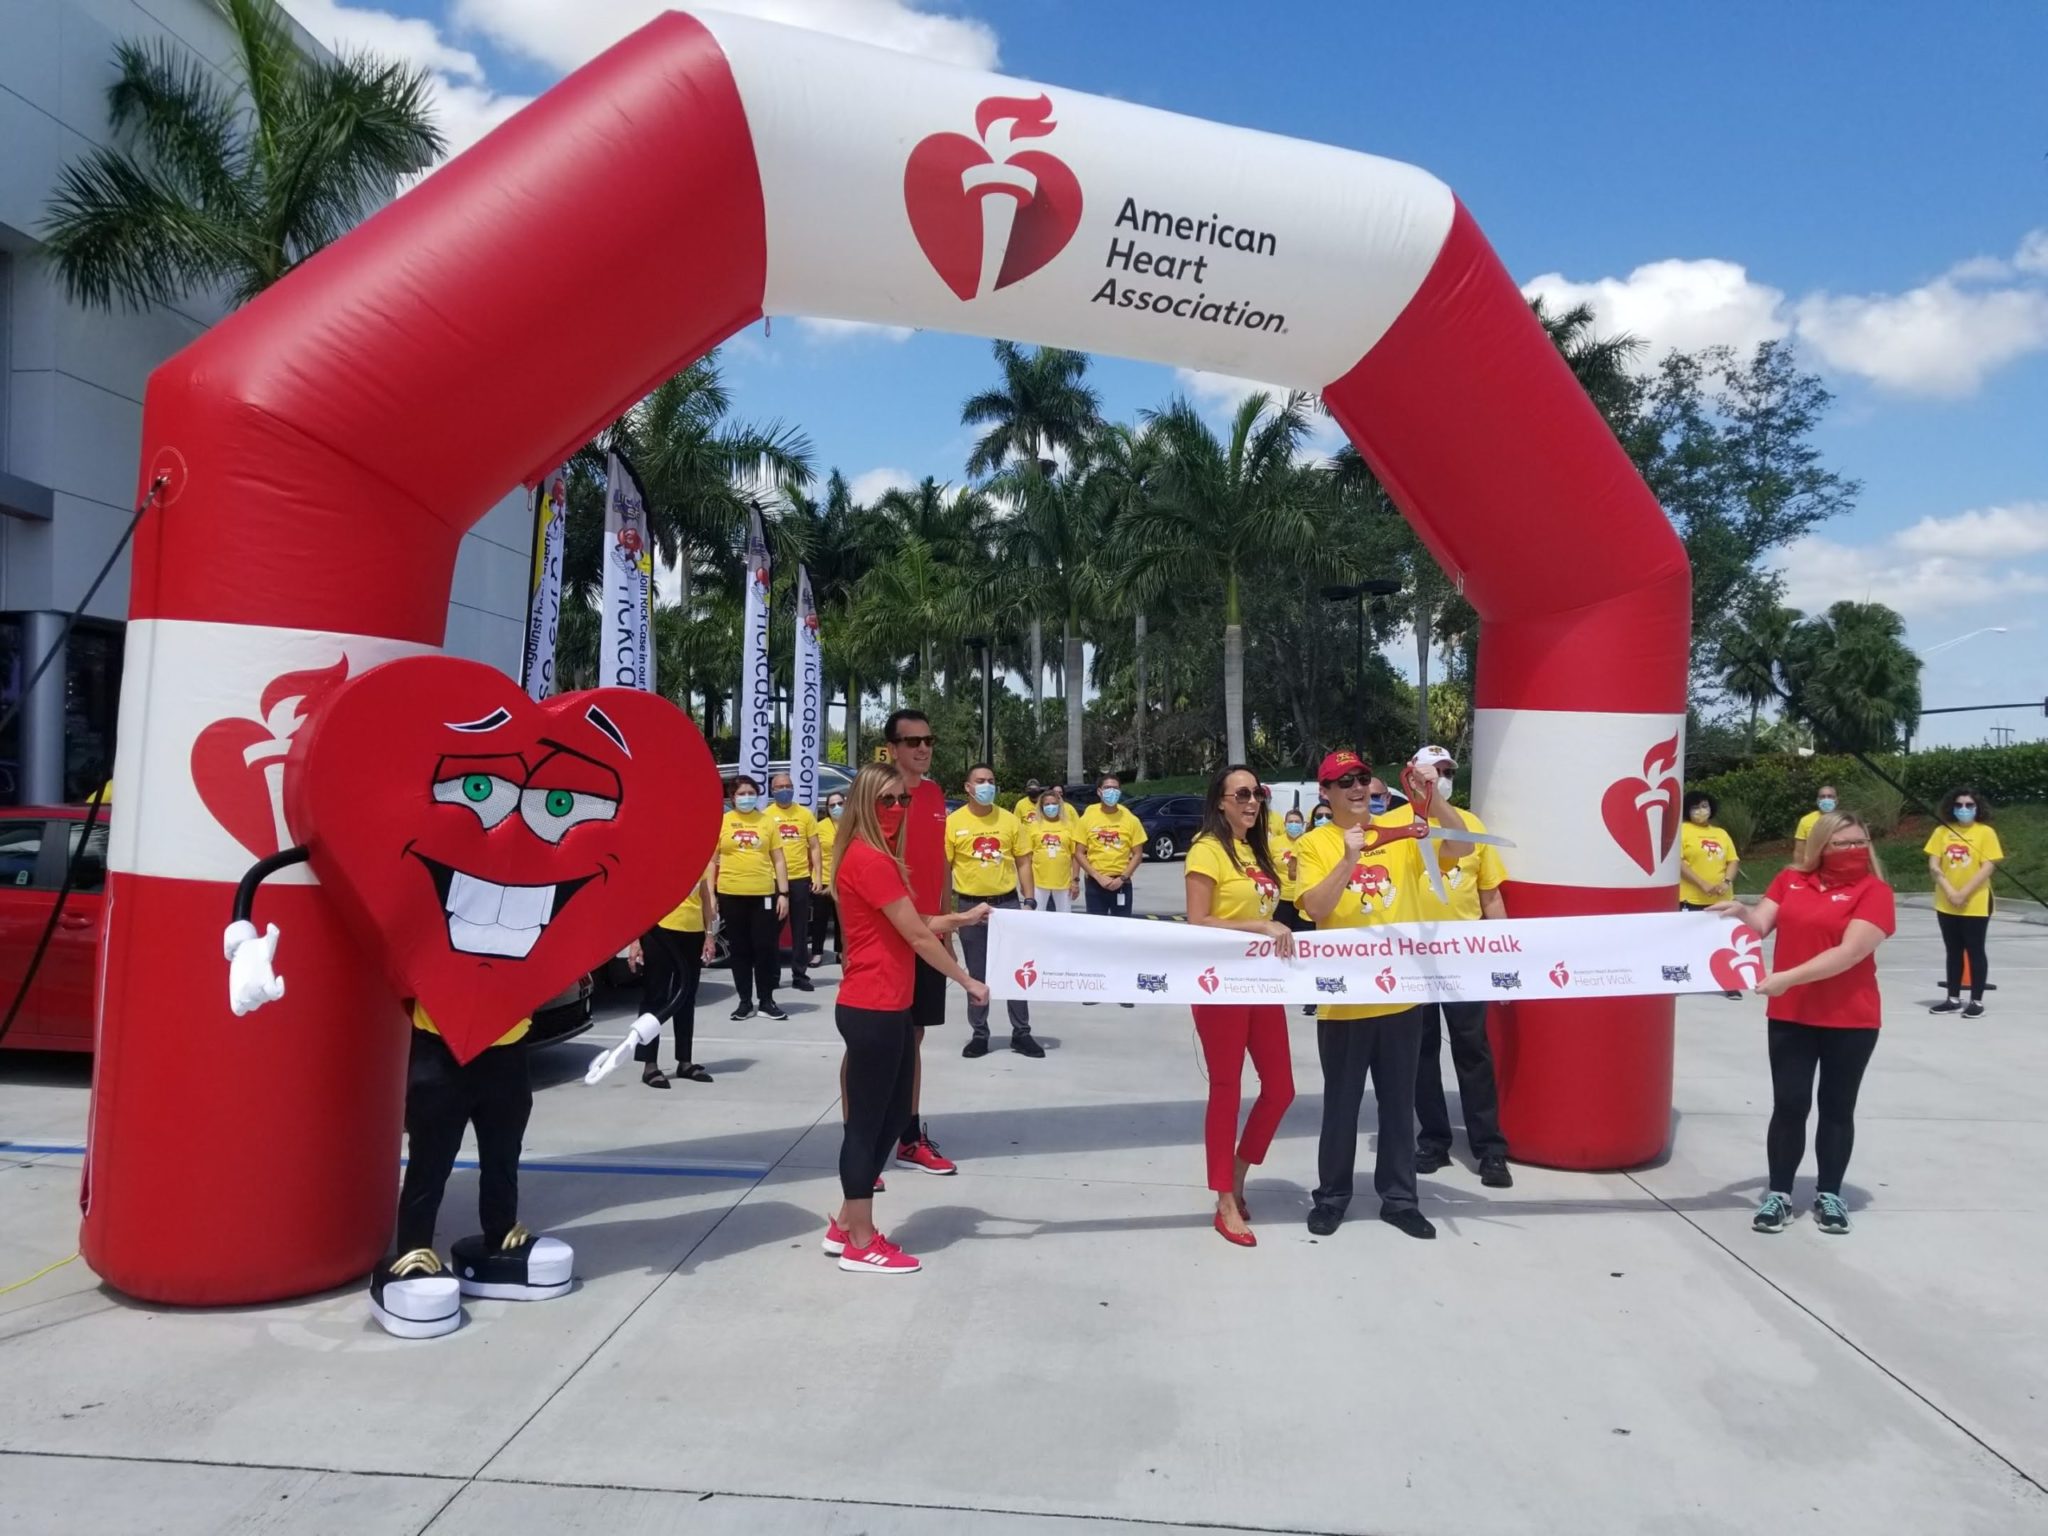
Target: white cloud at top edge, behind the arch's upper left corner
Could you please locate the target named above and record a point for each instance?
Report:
(568, 36)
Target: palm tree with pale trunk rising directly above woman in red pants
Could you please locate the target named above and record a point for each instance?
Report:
(1222, 507)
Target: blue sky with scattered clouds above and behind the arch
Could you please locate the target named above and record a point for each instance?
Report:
(1871, 181)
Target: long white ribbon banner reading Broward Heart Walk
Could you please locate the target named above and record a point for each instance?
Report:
(1060, 957)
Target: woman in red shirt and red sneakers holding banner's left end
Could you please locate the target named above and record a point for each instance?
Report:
(880, 937)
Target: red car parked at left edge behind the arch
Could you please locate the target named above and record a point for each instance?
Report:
(58, 1011)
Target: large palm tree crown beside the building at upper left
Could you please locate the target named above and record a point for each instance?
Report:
(232, 185)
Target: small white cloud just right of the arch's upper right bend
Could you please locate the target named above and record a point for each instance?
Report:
(1674, 304)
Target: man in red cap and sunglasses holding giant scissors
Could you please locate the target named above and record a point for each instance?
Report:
(1357, 876)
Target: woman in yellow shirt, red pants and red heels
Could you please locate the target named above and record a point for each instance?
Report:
(1232, 884)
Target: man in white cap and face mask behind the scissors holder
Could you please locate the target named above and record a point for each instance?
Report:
(1471, 894)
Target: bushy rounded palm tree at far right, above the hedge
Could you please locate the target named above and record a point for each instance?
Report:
(1854, 677)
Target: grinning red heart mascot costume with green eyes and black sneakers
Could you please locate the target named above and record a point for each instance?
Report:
(484, 851)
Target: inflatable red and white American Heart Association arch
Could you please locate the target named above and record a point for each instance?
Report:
(331, 443)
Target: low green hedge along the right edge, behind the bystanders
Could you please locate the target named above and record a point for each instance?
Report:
(1779, 792)
